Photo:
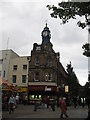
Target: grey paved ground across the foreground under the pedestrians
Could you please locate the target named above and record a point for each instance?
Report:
(27, 111)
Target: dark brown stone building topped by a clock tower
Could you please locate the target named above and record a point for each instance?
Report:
(45, 68)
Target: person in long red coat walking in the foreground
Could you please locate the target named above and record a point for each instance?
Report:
(63, 107)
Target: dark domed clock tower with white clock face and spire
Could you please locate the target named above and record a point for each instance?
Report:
(46, 35)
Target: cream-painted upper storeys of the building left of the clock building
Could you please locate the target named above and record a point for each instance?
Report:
(14, 68)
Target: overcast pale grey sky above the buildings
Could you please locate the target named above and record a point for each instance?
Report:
(22, 22)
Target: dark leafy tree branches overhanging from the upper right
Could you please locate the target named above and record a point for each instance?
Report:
(70, 10)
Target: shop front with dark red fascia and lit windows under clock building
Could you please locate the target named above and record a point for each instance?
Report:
(37, 92)
